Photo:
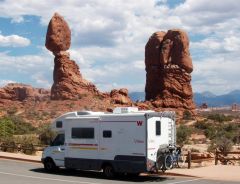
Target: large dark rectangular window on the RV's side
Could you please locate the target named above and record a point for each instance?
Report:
(82, 133)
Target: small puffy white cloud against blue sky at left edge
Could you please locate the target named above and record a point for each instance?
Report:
(14, 41)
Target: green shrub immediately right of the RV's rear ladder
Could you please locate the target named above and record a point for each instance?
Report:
(183, 134)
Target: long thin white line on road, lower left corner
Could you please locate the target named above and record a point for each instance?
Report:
(43, 178)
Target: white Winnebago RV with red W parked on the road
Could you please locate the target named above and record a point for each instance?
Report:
(125, 141)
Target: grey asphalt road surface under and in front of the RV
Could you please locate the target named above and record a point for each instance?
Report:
(18, 172)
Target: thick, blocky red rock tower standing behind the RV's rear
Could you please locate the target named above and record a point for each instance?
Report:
(168, 67)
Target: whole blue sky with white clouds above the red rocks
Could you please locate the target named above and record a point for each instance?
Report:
(109, 36)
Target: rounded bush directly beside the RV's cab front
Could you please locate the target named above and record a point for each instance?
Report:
(46, 134)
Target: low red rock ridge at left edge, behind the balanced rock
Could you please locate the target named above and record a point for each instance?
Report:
(21, 92)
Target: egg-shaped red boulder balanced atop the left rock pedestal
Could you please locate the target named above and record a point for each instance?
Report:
(58, 36)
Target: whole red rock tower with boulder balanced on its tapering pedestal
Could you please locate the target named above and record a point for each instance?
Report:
(68, 81)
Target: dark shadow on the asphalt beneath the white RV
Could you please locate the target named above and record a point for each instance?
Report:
(99, 175)
